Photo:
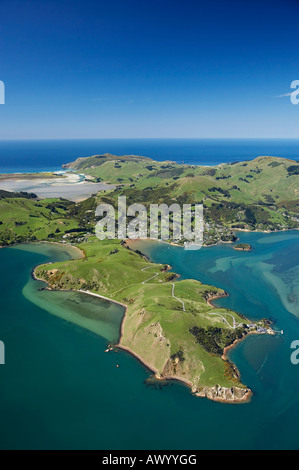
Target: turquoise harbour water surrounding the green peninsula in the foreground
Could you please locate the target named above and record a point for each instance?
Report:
(59, 389)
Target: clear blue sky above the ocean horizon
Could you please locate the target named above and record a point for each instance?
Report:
(148, 68)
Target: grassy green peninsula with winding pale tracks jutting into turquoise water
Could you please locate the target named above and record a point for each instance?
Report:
(168, 324)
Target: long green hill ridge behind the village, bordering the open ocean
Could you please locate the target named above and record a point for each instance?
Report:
(267, 181)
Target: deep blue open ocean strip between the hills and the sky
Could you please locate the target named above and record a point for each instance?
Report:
(44, 155)
